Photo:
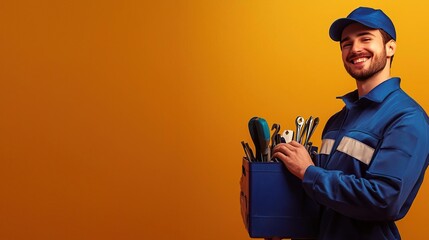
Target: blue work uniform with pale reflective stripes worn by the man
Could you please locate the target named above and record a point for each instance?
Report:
(371, 164)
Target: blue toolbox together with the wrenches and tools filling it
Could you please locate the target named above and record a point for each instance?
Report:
(273, 202)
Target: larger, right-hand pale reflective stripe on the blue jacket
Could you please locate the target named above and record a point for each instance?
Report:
(356, 149)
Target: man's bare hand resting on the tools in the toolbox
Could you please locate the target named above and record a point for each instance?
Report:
(294, 156)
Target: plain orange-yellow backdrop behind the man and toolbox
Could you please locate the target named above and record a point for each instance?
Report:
(123, 119)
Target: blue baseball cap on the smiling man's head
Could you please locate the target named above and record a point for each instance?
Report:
(372, 18)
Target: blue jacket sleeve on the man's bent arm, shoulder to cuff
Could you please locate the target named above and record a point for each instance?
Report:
(392, 180)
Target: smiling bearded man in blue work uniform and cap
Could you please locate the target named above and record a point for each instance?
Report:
(375, 150)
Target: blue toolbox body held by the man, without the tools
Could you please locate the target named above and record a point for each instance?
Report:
(274, 204)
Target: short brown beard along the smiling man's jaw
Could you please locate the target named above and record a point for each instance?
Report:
(377, 65)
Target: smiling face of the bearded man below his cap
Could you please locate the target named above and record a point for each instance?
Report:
(363, 51)
